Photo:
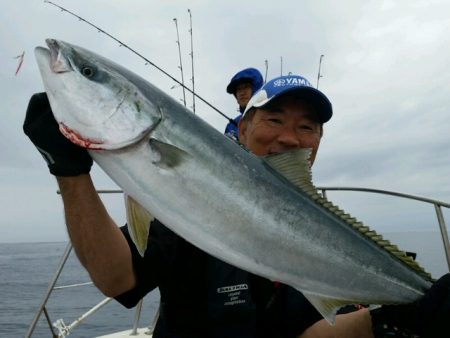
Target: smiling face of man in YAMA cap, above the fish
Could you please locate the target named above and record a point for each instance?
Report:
(286, 124)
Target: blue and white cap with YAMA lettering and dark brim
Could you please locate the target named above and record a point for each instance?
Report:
(295, 85)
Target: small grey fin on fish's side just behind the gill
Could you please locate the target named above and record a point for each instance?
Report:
(166, 155)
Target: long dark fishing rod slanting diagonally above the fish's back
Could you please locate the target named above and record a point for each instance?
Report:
(142, 57)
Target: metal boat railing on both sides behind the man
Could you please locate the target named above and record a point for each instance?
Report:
(65, 330)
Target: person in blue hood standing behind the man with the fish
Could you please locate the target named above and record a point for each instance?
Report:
(242, 85)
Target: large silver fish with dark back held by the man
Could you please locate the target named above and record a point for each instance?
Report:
(260, 214)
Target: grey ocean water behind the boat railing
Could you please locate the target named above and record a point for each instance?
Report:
(26, 270)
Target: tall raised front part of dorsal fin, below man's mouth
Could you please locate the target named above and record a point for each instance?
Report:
(294, 166)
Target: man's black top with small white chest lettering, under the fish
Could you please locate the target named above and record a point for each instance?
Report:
(202, 296)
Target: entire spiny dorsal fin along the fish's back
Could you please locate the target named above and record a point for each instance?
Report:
(294, 166)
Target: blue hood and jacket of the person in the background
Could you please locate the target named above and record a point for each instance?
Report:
(256, 80)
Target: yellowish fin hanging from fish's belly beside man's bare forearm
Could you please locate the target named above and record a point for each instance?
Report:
(138, 219)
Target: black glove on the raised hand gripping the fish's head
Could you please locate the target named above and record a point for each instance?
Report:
(63, 157)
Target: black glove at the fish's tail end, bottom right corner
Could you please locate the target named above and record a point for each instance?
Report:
(428, 317)
